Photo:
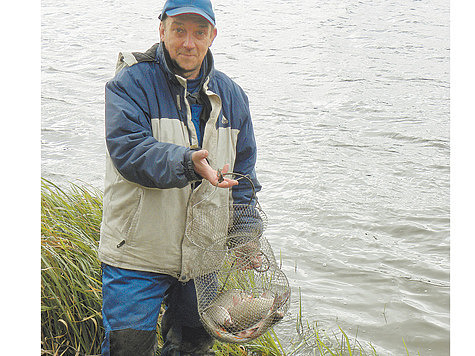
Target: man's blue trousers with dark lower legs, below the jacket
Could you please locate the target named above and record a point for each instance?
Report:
(130, 309)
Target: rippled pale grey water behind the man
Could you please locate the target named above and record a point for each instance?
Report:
(350, 102)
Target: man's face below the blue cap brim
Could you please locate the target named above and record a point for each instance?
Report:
(187, 38)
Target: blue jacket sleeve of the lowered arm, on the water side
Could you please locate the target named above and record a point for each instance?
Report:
(246, 156)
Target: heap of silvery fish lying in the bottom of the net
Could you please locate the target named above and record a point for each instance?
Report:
(236, 316)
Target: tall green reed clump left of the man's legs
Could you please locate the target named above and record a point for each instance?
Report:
(70, 271)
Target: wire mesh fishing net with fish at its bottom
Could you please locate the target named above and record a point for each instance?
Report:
(241, 291)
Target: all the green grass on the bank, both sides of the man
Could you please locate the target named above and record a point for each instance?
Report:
(71, 320)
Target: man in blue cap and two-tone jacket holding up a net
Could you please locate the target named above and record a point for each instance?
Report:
(171, 121)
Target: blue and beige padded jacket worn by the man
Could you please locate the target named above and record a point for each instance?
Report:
(149, 189)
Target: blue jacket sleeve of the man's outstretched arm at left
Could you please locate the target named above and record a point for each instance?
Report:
(136, 154)
